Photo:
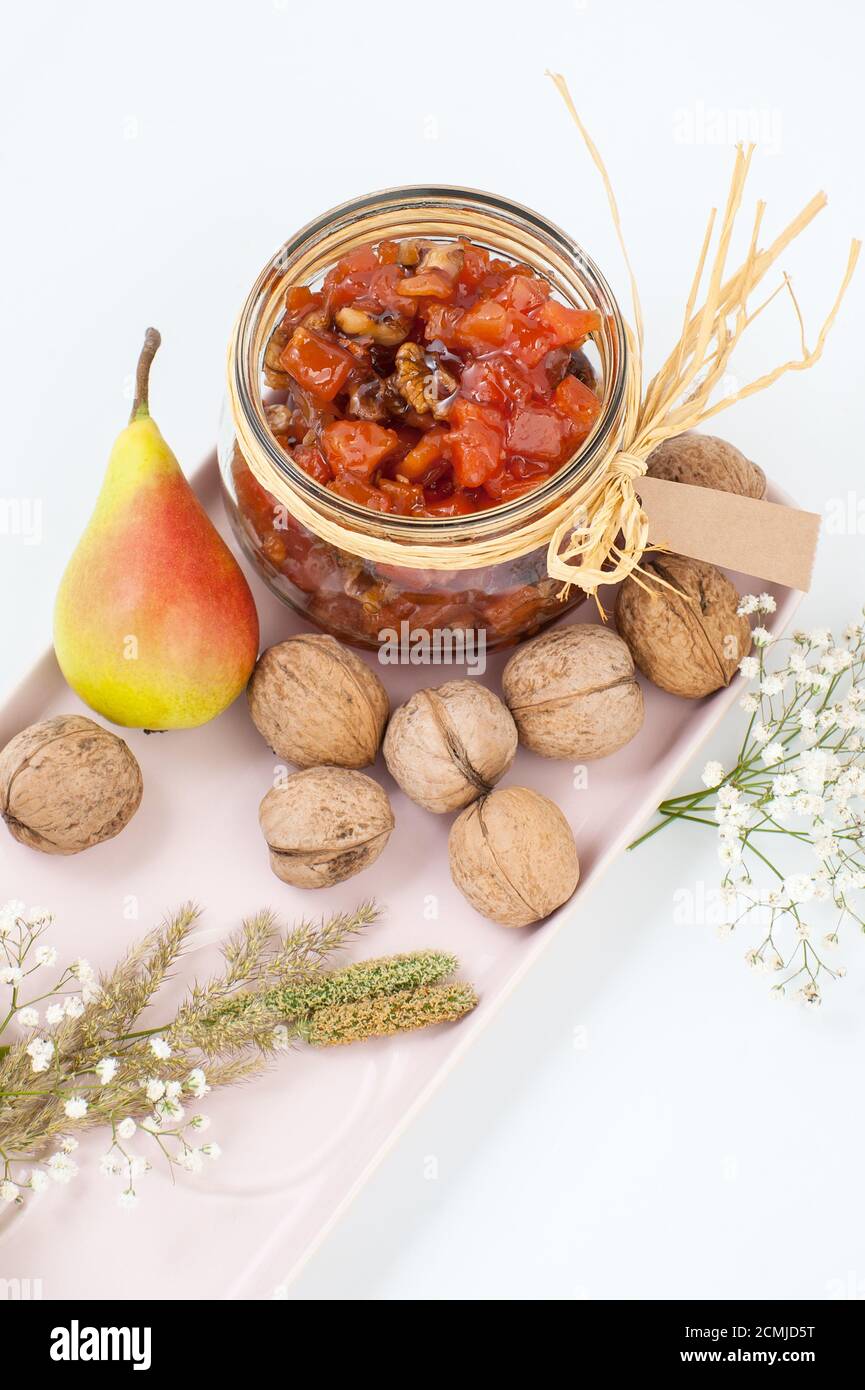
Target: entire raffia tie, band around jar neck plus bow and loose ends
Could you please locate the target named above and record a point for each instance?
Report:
(599, 533)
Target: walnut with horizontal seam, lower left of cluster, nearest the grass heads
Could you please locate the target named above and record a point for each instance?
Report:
(325, 825)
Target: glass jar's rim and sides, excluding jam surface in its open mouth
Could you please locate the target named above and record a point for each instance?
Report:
(365, 603)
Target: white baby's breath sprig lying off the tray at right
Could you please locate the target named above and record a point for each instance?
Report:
(796, 789)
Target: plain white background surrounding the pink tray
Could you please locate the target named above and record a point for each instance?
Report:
(642, 1121)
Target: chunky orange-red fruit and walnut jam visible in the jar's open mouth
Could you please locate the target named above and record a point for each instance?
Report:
(428, 379)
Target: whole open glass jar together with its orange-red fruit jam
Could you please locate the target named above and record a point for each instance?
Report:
(422, 368)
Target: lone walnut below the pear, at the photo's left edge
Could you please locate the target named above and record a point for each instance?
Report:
(67, 785)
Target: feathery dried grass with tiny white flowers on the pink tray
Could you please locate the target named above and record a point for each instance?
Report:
(79, 1057)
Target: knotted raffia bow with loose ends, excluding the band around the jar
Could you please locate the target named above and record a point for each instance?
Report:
(607, 534)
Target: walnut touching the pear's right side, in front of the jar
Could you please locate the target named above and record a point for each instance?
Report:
(315, 701)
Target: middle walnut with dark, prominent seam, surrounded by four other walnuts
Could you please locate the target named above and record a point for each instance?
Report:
(446, 747)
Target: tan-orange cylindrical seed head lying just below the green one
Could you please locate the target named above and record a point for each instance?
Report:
(389, 1014)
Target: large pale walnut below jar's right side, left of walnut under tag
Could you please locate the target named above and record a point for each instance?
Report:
(574, 693)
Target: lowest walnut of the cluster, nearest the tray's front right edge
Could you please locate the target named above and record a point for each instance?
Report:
(514, 857)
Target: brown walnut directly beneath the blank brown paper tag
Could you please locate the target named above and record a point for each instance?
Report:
(688, 639)
